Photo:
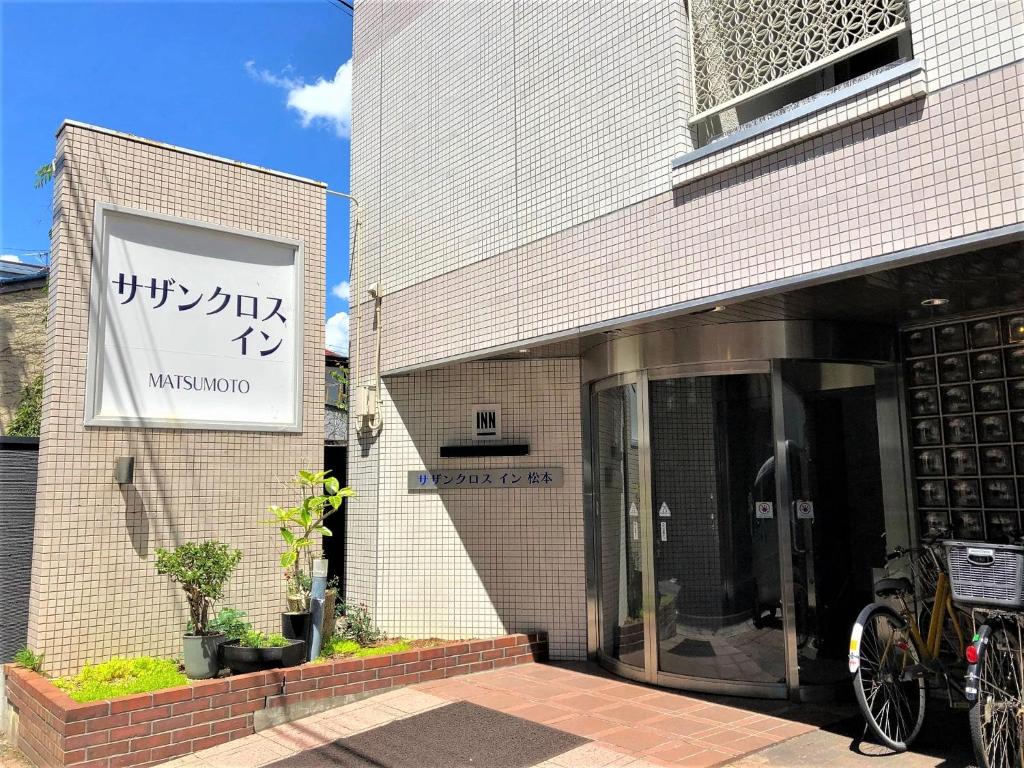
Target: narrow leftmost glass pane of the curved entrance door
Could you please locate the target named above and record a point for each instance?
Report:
(617, 483)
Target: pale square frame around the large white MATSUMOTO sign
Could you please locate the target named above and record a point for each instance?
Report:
(98, 327)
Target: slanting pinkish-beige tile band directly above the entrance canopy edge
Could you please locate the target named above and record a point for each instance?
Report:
(924, 173)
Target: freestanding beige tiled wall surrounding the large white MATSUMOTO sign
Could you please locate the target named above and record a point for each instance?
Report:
(95, 590)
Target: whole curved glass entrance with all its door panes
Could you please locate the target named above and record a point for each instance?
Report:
(739, 519)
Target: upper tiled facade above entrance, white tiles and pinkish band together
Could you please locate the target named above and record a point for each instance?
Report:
(601, 99)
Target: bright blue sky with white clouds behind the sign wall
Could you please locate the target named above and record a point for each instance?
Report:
(264, 83)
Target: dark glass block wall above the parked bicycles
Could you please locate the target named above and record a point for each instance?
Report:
(965, 396)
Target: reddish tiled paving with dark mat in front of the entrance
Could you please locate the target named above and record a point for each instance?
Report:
(619, 724)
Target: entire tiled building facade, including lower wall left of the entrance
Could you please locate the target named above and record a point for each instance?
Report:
(529, 177)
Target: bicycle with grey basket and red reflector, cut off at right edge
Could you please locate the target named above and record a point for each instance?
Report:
(995, 682)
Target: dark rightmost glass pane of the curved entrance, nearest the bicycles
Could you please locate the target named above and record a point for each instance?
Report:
(834, 494)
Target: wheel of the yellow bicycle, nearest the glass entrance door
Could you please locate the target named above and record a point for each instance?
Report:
(888, 681)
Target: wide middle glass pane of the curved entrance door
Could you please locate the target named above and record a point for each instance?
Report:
(715, 530)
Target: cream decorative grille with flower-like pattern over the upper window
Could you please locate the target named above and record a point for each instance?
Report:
(742, 46)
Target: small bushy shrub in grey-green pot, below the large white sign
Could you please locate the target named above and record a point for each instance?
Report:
(202, 569)
